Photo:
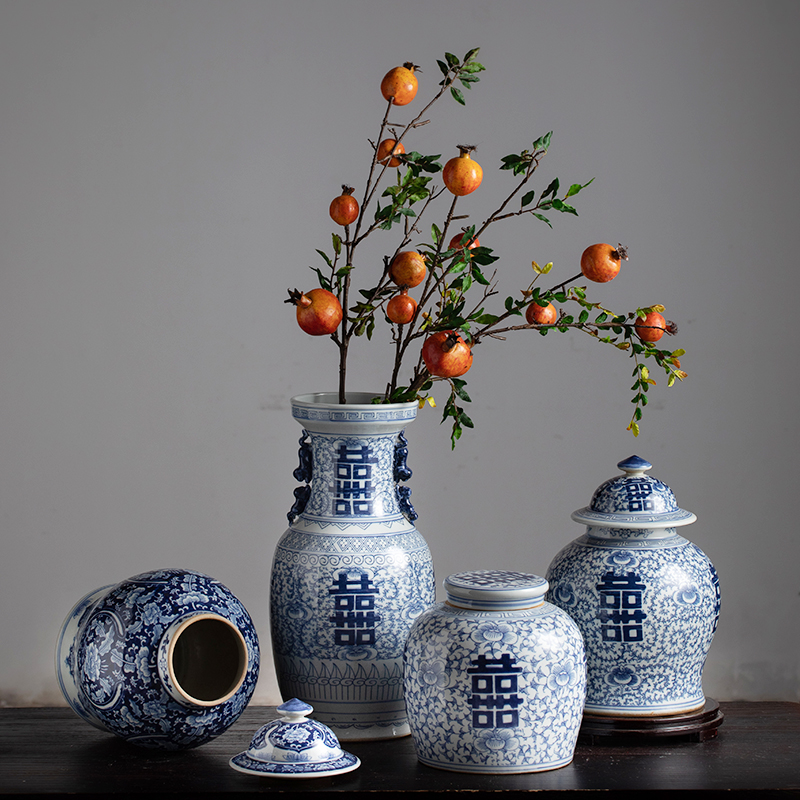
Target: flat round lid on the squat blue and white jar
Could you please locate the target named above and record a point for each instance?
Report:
(495, 590)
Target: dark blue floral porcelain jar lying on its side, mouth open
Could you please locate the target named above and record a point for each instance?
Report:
(167, 659)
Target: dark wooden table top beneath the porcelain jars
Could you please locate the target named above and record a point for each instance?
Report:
(50, 751)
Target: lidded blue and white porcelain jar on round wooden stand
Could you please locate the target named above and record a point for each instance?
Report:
(646, 600)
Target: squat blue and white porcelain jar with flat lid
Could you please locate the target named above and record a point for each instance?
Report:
(495, 677)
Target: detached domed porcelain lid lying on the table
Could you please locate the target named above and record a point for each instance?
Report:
(294, 747)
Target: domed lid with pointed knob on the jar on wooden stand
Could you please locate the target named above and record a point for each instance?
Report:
(633, 500)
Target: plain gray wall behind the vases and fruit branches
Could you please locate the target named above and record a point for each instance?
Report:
(165, 173)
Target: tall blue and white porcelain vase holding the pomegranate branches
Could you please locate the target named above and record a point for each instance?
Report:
(351, 573)
